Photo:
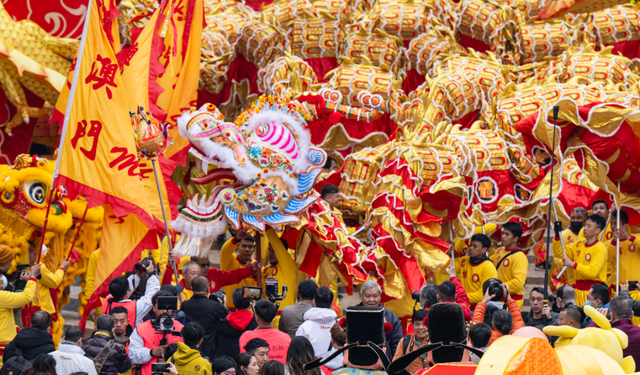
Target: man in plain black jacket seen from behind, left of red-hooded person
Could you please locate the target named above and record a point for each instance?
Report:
(207, 313)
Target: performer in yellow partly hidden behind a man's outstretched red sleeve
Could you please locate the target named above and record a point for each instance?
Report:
(246, 245)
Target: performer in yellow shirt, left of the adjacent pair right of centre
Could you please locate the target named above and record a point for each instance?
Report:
(475, 268)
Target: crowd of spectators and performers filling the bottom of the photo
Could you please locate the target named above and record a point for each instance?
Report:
(207, 321)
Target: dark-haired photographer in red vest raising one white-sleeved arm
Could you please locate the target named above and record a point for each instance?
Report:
(120, 292)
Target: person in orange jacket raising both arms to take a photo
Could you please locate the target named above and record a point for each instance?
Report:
(502, 322)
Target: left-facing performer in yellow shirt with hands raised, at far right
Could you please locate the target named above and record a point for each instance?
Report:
(587, 257)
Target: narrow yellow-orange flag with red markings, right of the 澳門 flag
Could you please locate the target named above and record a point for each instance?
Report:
(180, 79)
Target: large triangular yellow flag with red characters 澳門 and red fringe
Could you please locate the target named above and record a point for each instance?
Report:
(98, 156)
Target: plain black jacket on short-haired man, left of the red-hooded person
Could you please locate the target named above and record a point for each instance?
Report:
(207, 313)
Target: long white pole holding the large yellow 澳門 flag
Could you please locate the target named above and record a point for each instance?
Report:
(65, 124)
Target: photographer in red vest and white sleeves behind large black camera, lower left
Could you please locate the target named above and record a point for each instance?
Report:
(147, 342)
